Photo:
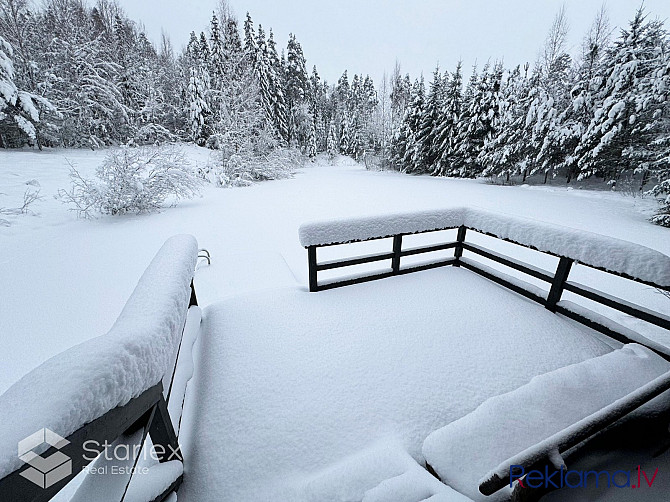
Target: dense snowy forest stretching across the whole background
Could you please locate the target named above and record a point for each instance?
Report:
(74, 75)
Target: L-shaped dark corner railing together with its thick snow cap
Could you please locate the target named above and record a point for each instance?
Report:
(615, 256)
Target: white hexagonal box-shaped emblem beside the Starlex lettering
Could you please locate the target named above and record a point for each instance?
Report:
(44, 471)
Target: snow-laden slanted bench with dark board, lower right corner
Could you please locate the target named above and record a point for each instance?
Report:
(527, 429)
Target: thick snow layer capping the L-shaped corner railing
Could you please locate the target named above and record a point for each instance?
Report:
(589, 248)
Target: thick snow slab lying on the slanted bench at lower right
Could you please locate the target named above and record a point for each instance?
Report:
(464, 451)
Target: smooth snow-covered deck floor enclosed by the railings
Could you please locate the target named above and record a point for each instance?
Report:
(278, 398)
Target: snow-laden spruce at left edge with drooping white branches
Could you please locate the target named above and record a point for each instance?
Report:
(20, 111)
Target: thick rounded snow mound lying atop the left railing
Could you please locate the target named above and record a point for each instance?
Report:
(86, 381)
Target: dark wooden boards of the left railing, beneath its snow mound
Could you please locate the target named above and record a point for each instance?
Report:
(147, 412)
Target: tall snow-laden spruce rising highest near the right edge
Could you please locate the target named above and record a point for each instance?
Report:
(611, 142)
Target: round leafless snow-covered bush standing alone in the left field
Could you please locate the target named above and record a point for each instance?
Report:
(134, 180)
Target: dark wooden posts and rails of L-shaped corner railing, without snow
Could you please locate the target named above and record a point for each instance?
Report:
(558, 280)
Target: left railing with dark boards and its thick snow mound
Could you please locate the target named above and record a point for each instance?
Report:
(107, 387)
